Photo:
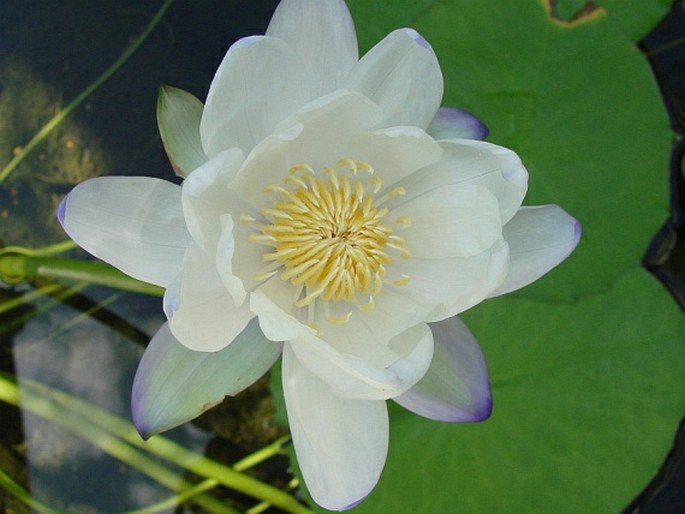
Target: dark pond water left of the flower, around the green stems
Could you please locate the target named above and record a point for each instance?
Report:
(86, 341)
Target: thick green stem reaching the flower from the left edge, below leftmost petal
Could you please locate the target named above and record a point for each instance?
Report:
(16, 267)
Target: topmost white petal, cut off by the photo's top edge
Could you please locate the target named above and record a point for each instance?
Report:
(322, 33)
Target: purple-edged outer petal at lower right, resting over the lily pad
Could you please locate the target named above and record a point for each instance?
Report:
(456, 387)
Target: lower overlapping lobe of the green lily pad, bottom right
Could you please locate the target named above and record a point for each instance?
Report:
(585, 409)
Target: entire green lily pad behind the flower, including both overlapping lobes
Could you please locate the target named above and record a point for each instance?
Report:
(587, 363)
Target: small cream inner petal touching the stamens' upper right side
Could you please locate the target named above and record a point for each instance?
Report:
(395, 152)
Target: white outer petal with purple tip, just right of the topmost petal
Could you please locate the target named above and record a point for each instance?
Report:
(402, 75)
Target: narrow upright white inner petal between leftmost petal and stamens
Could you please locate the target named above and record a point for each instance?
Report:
(205, 197)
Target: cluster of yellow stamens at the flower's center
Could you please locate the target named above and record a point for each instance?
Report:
(328, 235)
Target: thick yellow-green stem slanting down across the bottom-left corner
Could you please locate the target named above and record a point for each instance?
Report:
(171, 451)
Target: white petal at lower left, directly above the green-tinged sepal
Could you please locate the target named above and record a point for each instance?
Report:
(206, 318)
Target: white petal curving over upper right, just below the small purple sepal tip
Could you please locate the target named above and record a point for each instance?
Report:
(467, 161)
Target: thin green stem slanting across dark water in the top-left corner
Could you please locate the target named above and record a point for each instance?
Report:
(60, 116)
